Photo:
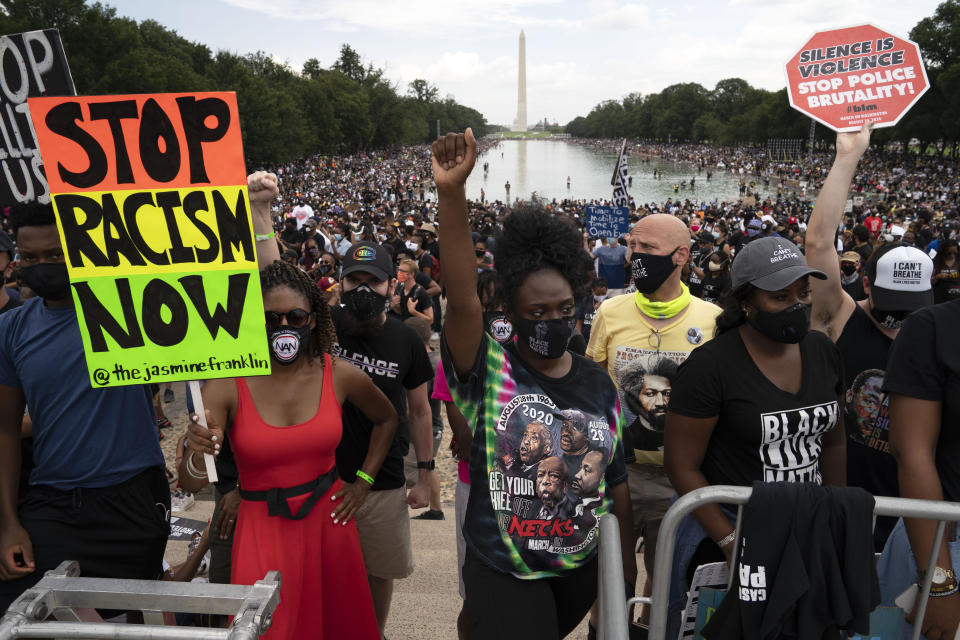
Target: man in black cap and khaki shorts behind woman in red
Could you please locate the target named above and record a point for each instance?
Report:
(392, 354)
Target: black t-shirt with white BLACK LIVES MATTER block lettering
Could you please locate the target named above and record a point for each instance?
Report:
(763, 433)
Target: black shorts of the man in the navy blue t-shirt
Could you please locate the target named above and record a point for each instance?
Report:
(113, 532)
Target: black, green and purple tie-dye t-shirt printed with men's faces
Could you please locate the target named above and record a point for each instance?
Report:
(545, 452)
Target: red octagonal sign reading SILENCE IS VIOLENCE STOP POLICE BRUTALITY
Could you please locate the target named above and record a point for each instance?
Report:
(846, 77)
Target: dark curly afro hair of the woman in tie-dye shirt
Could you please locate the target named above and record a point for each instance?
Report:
(533, 239)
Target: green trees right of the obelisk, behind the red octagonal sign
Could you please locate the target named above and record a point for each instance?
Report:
(734, 112)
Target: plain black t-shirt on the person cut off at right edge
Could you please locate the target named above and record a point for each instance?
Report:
(924, 363)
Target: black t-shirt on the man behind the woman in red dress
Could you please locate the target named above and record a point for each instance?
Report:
(396, 360)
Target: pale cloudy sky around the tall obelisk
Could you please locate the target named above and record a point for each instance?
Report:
(579, 53)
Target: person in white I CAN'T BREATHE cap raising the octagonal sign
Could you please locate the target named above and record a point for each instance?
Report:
(896, 281)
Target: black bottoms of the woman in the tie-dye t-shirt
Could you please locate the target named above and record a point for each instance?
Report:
(499, 605)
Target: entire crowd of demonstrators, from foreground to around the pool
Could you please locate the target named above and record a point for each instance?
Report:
(579, 375)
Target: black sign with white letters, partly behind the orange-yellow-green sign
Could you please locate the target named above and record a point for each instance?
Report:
(31, 64)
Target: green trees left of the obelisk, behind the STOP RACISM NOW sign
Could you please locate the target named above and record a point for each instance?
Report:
(284, 113)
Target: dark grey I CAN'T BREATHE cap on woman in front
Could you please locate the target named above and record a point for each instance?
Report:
(771, 264)
